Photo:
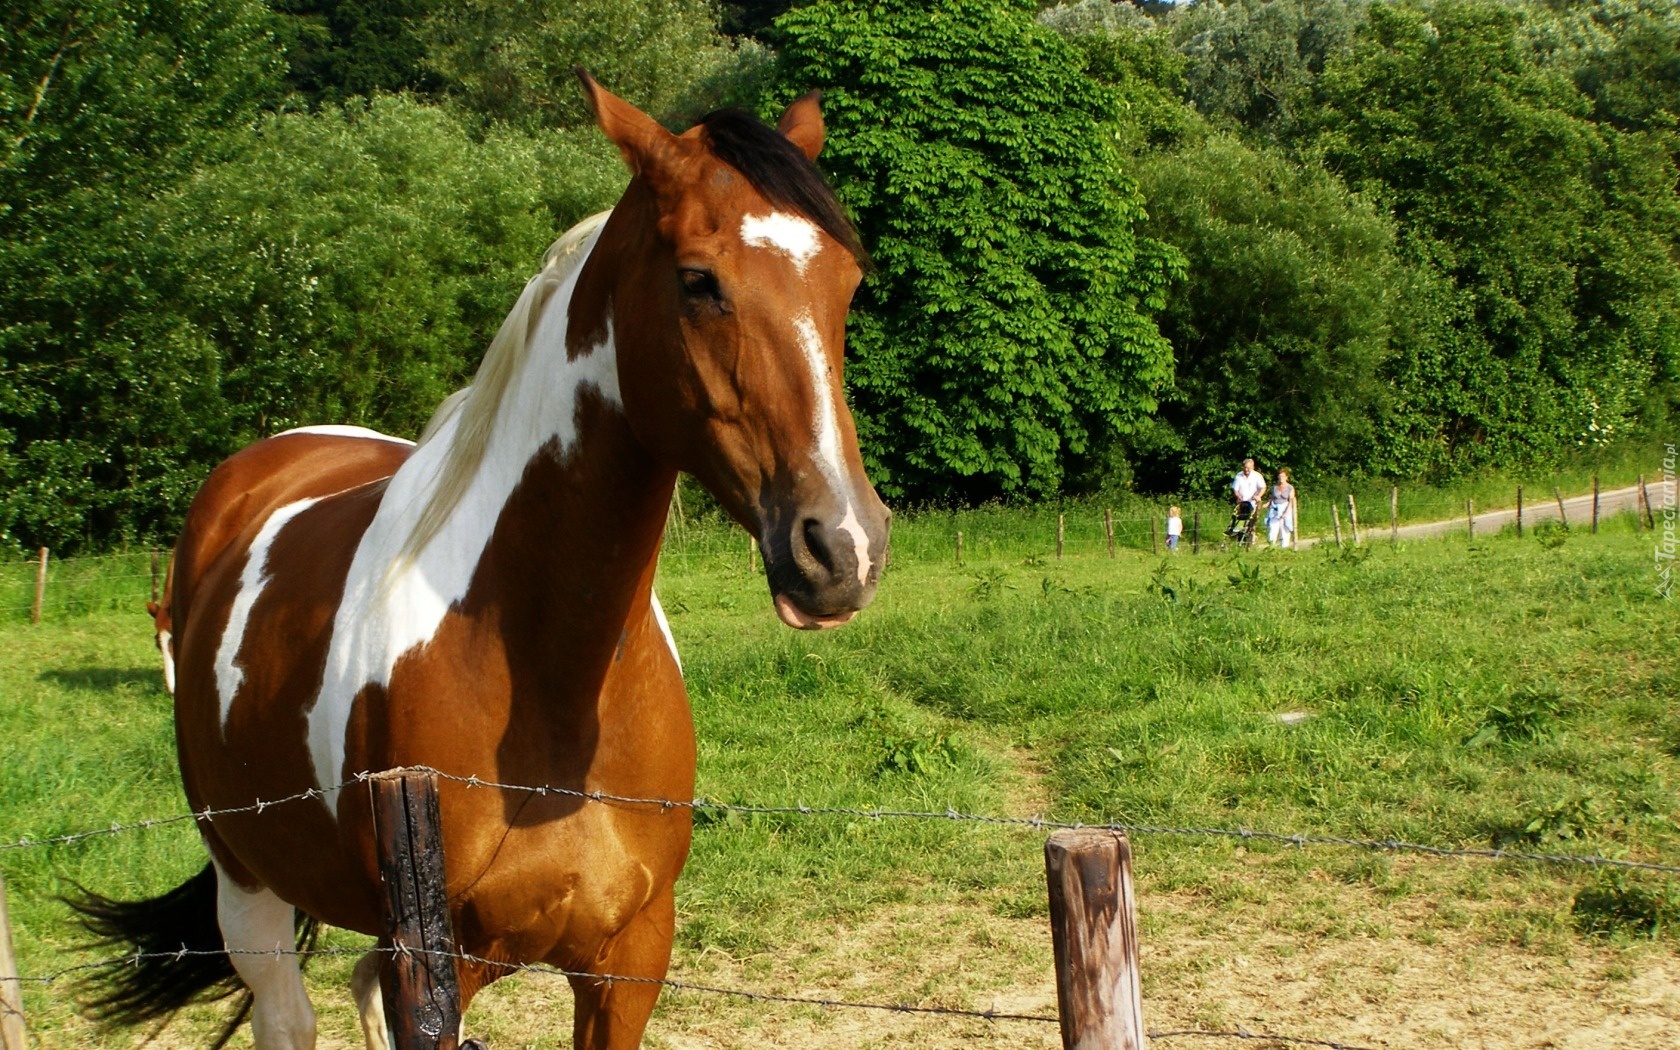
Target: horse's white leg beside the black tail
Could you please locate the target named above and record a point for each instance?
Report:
(258, 933)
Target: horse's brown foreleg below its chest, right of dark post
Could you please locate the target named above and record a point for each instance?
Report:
(611, 1016)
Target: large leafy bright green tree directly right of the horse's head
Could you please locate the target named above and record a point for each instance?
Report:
(1007, 327)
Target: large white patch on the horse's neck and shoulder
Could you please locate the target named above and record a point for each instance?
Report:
(389, 614)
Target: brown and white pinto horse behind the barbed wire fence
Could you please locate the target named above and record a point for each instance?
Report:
(483, 602)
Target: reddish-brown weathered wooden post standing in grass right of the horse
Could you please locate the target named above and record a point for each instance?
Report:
(1095, 935)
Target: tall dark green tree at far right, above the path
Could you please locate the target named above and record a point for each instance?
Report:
(1553, 234)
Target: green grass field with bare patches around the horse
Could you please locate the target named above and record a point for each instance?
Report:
(1516, 693)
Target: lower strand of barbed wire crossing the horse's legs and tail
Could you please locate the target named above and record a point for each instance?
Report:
(609, 979)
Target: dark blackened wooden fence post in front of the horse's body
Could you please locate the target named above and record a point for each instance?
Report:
(423, 997)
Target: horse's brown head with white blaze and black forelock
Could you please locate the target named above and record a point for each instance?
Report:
(733, 271)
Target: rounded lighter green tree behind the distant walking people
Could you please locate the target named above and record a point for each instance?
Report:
(1283, 322)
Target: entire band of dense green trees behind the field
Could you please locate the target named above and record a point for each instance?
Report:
(1118, 246)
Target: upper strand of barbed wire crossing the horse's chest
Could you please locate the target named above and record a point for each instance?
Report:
(1299, 841)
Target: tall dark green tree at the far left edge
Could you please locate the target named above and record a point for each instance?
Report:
(103, 105)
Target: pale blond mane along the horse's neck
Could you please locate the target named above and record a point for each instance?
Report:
(476, 406)
